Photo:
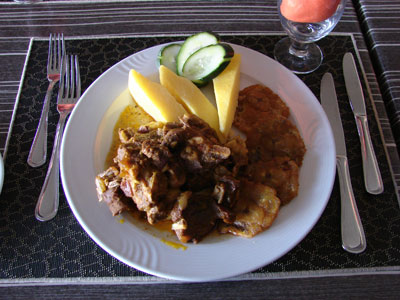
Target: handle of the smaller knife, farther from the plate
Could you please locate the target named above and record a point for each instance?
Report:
(372, 175)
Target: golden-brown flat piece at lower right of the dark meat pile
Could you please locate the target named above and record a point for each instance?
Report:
(255, 210)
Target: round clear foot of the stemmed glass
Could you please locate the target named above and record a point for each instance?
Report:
(300, 62)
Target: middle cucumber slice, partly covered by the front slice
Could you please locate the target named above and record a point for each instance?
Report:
(191, 45)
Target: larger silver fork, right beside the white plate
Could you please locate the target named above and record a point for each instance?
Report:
(68, 94)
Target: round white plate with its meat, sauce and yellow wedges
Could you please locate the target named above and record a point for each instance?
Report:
(183, 201)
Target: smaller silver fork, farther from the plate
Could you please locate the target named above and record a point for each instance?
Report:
(38, 152)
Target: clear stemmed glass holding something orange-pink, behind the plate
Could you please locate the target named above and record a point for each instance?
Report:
(298, 51)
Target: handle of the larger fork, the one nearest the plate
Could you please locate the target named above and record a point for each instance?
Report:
(47, 205)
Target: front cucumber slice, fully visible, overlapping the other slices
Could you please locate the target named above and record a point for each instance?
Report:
(207, 62)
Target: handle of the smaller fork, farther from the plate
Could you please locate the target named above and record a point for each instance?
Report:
(37, 154)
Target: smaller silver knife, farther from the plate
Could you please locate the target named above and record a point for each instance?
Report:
(372, 175)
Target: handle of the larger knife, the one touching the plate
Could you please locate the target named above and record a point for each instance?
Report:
(353, 237)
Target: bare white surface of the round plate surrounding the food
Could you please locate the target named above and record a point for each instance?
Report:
(86, 142)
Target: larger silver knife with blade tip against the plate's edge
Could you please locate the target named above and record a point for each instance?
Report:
(353, 237)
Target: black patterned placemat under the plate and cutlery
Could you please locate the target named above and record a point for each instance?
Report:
(61, 249)
